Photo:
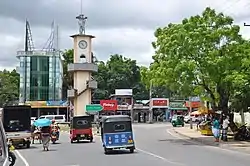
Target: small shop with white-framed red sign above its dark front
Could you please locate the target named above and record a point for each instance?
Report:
(159, 107)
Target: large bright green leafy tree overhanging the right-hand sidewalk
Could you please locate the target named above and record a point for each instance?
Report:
(202, 55)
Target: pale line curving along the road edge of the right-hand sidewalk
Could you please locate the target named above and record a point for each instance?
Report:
(209, 147)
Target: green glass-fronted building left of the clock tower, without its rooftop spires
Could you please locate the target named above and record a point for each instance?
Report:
(41, 76)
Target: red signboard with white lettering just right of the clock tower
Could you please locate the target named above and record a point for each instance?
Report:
(109, 107)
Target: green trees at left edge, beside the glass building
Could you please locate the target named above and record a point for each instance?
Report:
(9, 86)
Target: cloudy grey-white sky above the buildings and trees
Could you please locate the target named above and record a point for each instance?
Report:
(121, 27)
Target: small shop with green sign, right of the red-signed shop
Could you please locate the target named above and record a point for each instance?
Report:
(176, 108)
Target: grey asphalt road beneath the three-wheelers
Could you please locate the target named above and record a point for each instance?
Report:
(155, 143)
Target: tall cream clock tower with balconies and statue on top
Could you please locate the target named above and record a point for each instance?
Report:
(82, 68)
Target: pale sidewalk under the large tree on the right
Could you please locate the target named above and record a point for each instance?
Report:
(195, 135)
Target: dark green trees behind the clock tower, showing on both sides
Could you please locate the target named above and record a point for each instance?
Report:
(117, 72)
